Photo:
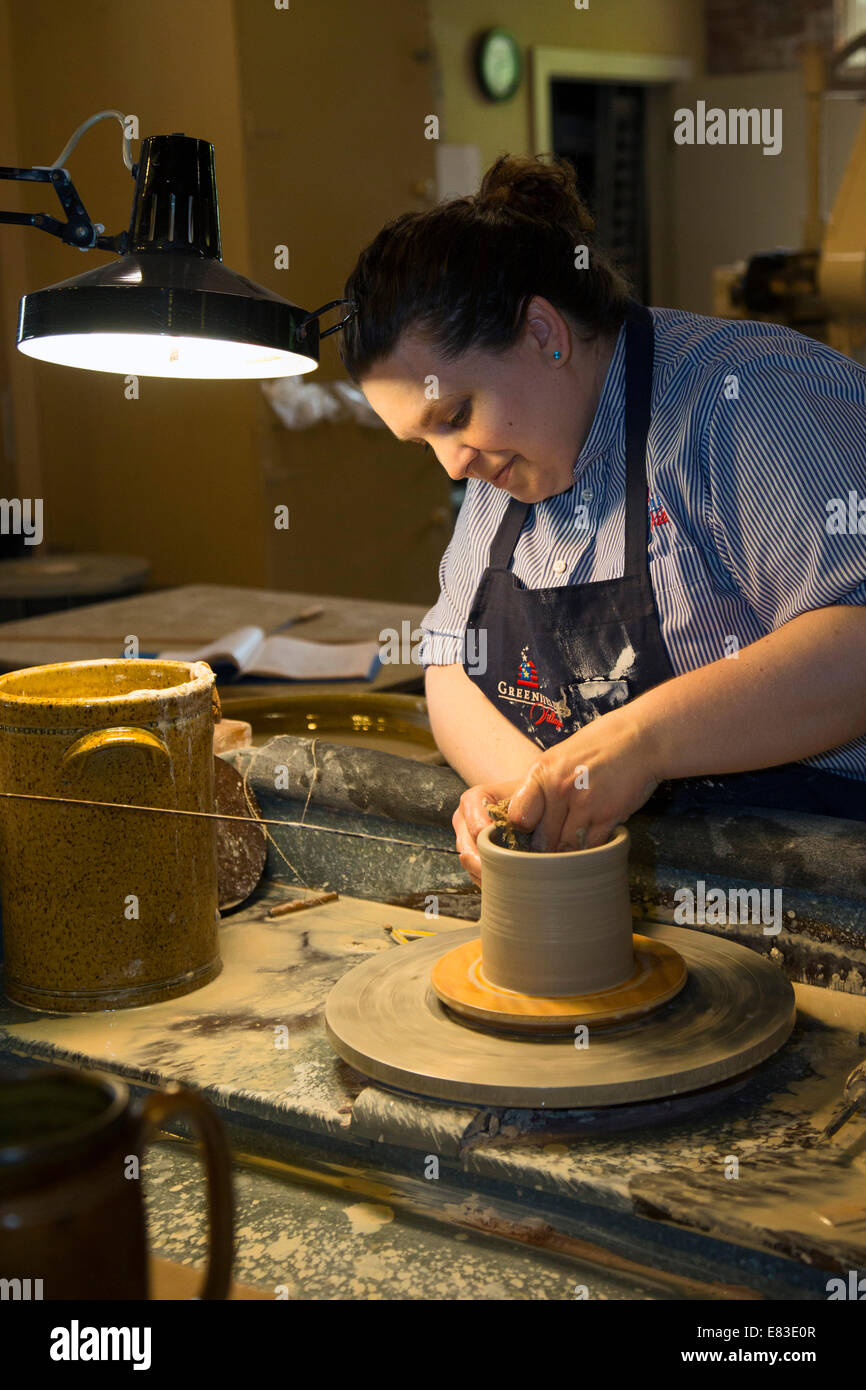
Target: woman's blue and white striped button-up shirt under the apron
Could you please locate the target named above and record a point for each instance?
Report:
(757, 473)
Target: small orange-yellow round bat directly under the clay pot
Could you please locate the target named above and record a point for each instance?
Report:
(458, 978)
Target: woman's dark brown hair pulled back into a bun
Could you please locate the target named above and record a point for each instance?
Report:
(465, 272)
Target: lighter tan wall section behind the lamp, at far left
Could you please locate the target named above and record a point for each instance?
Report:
(172, 476)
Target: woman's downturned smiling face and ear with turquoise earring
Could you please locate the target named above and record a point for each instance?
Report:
(516, 419)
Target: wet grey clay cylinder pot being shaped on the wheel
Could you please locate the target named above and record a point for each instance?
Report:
(555, 925)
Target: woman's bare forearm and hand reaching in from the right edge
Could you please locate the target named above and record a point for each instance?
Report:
(761, 711)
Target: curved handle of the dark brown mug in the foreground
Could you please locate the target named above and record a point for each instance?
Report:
(219, 1166)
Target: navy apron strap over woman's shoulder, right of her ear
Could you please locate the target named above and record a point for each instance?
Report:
(639, 398)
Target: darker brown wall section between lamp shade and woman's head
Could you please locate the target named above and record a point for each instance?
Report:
(334, 112)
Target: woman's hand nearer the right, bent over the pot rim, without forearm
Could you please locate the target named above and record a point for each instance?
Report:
(579, 792)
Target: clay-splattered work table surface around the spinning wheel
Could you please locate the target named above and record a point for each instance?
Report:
(650, 1199)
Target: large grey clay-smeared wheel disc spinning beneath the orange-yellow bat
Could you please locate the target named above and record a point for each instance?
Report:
(736, 1010)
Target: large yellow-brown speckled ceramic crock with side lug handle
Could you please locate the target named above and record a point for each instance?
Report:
(104, 910)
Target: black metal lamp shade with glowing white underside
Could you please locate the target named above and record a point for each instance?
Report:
(170, 308)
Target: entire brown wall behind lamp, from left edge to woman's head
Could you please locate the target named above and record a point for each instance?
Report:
(318, 119)
